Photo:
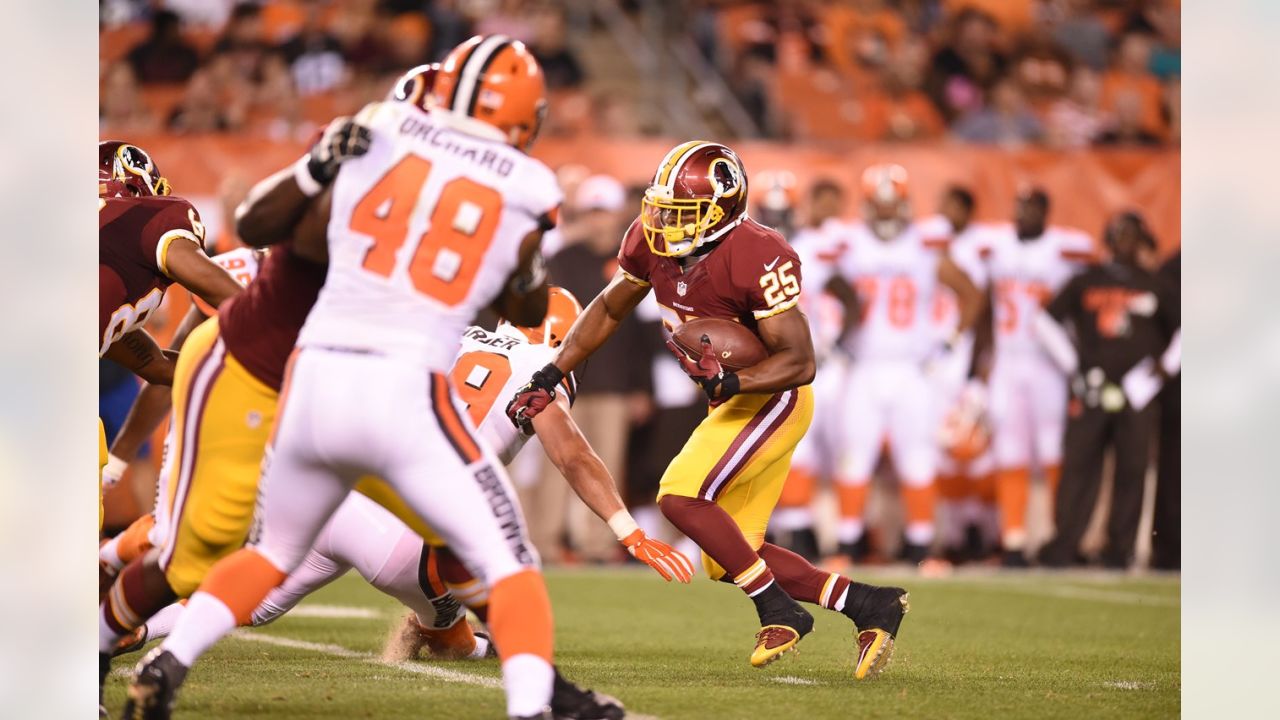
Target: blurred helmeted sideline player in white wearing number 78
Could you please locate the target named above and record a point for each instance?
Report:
(895, 274)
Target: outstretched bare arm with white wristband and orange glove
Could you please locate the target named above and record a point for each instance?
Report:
(591, 480)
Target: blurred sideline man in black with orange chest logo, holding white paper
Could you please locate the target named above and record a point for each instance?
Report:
(1122, 318)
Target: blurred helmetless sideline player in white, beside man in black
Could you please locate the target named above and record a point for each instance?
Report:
(1028, 265)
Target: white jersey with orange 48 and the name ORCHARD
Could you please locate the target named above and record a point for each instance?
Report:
(426, 231)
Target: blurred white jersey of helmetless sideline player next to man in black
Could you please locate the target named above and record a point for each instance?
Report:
(1026, 276)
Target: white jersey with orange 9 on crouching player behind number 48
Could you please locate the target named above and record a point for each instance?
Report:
(490, 370)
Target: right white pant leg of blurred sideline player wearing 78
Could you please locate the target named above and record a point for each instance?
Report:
(911, 429)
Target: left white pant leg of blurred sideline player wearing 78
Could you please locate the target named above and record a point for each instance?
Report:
(865, 425)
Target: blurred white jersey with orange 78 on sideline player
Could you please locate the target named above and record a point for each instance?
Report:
(897, 284)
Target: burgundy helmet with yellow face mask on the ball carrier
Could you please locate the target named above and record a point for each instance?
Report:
(697, 197)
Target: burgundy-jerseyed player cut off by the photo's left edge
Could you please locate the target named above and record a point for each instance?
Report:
(138, 261)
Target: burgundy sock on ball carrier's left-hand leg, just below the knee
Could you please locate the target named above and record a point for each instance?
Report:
(720, 537)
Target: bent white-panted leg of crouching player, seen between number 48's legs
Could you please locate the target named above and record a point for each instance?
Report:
(365, 536)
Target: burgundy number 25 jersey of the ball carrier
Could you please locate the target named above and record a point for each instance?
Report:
(751, 275)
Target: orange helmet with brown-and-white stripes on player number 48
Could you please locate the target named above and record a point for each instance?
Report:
(497, 81)
